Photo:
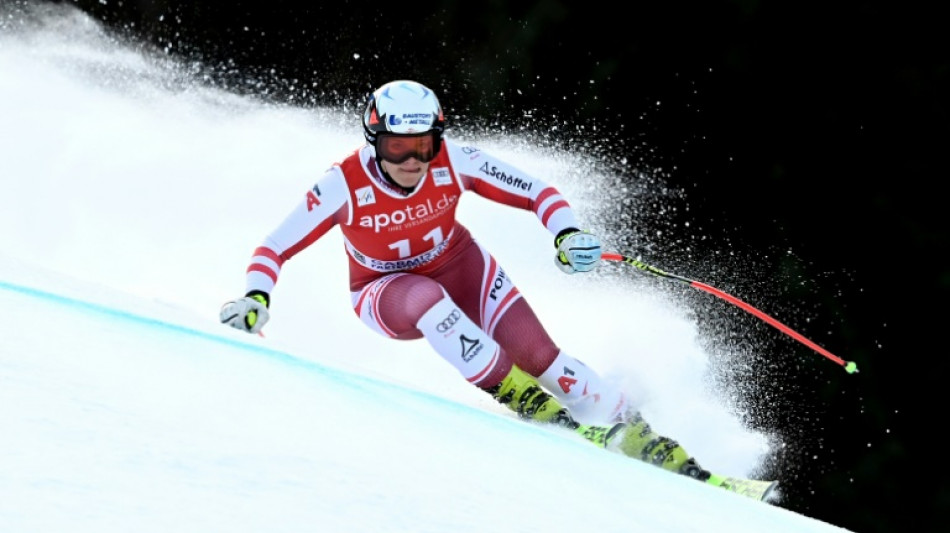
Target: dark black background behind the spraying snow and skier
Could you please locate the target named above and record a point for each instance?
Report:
(809, 142)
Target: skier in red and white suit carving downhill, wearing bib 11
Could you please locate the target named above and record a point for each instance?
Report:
(415, 271)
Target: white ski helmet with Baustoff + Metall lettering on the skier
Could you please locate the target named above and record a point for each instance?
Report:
(403, 107)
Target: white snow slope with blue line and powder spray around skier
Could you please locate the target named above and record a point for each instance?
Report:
(133, 196)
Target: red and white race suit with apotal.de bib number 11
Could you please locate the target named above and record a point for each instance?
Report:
(416, 271)
